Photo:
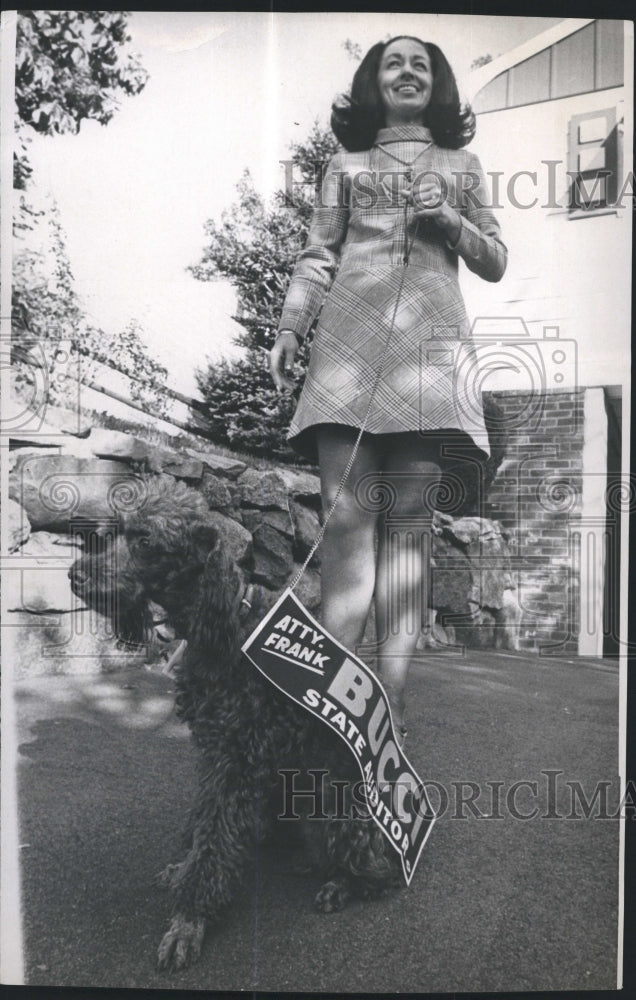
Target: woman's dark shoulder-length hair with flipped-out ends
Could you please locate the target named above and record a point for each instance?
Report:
(355, 120)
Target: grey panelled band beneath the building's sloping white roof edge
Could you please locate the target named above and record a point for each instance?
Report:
(589, 59)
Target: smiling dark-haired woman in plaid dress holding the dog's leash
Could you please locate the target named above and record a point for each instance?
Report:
(387, 348)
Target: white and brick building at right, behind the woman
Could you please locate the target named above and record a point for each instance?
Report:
(554, 134)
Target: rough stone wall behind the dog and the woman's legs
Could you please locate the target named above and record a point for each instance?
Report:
(268, 516)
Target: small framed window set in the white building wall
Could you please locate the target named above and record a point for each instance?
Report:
(593, 160)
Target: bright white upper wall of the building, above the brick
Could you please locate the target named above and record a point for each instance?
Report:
(569, 273)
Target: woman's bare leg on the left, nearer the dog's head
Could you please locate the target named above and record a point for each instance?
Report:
(348, 559)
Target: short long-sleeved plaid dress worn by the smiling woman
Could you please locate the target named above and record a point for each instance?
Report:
(351, 272)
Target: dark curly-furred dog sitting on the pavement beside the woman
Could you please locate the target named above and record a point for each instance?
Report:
(245, 730)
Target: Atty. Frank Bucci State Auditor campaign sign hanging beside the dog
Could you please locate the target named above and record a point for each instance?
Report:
(296, 654)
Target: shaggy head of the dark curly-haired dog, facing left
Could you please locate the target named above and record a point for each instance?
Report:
(155, 555)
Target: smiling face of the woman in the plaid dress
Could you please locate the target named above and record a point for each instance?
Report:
(405, 81)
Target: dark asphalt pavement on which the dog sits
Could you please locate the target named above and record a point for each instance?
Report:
(498, 903)
